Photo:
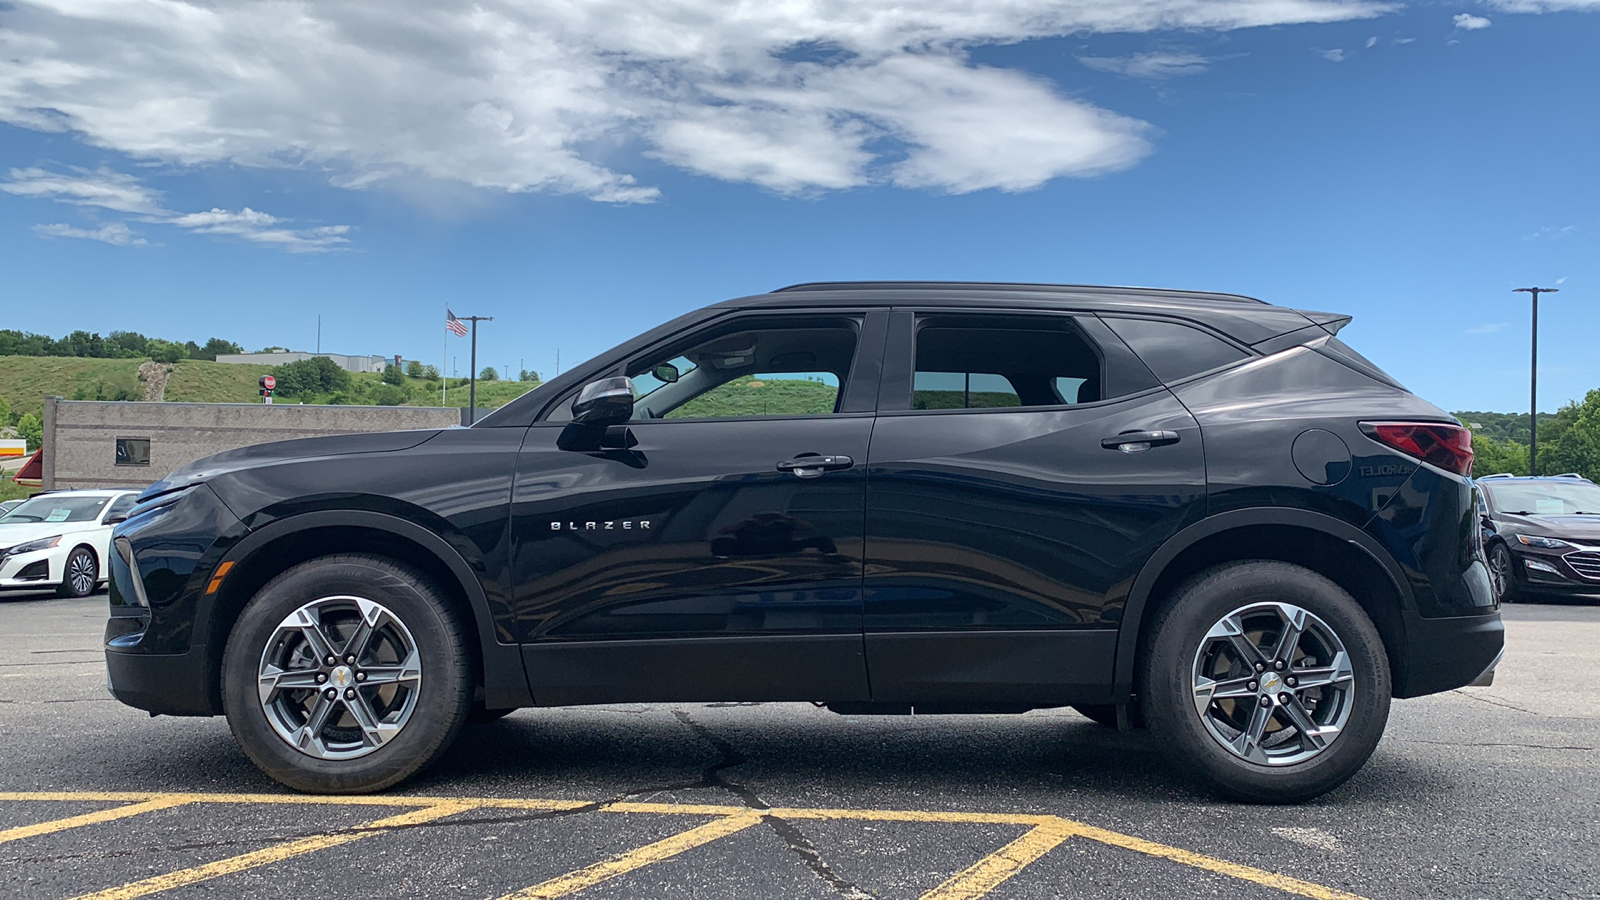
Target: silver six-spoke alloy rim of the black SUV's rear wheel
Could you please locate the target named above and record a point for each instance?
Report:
(1273, 685)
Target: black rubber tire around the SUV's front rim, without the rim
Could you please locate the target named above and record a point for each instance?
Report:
(442, 699)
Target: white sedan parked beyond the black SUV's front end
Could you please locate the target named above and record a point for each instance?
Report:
(60, 540)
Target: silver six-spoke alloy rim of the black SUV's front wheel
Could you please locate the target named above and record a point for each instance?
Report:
(340, 678)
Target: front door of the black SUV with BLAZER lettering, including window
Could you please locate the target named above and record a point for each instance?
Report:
(713, 552)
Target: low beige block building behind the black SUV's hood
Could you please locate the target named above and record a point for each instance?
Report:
(94, 444)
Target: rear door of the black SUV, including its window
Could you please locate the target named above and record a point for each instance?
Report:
(1023, 468)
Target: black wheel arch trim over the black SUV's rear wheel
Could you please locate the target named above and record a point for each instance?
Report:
(1322, 544)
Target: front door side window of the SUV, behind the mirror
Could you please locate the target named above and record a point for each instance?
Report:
(774, 368)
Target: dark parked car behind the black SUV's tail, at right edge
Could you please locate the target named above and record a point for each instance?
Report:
(1542, 536)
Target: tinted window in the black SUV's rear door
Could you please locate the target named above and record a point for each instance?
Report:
(982, 363)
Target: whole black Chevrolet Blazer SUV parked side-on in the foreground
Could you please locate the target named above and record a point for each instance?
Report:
(1194, 513)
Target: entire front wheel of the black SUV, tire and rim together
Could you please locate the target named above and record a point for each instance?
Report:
(346, 675)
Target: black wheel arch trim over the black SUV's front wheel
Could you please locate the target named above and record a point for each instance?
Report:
(274, 548)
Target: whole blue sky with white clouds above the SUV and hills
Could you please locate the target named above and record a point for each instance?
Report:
(582, 175)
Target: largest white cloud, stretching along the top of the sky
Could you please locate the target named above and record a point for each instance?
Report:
(521, 95)
